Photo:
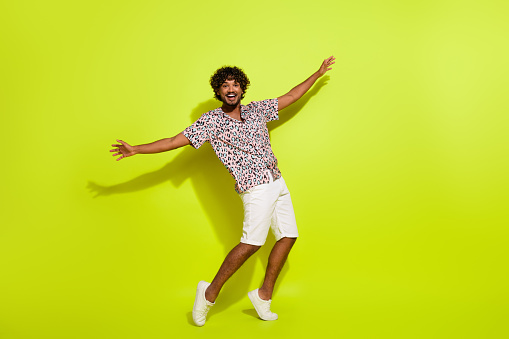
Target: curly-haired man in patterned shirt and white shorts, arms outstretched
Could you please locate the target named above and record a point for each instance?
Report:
(239, 136)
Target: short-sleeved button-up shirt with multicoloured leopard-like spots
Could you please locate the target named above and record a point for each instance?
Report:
(242, 146)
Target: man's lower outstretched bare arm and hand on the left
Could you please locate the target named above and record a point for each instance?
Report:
(125, 150)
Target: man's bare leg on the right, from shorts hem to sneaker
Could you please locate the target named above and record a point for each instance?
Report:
(277, 259)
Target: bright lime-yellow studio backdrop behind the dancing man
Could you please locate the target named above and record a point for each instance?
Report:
(397, 163)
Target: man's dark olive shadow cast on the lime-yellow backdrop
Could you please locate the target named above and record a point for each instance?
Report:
(214, 189)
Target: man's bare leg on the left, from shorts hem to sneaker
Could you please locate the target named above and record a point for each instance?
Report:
(237, 256)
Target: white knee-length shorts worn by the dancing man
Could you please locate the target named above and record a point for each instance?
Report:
(268, 206)
